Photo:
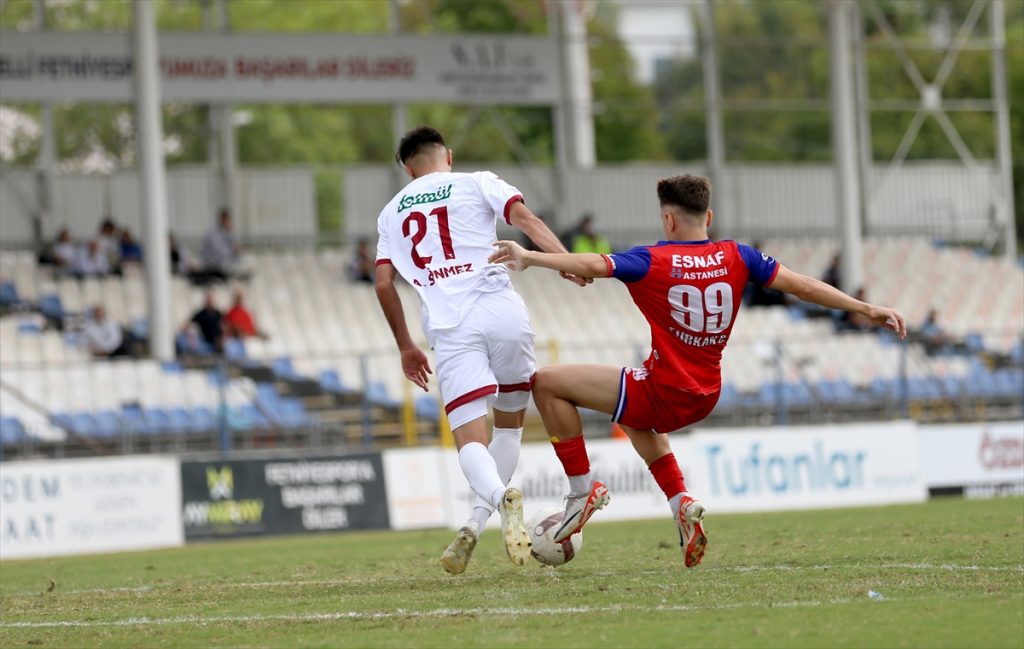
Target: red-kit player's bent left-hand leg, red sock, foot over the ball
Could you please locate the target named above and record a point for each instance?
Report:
(559, 392)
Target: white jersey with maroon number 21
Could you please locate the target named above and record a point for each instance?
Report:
(439, 233)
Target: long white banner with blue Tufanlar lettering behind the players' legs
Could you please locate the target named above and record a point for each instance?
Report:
(739, 470)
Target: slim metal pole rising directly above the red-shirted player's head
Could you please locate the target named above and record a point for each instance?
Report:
(714, 132)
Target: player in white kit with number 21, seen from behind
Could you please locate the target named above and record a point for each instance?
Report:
(438, 234)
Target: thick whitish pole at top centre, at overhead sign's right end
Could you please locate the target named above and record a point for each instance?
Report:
(577, 82)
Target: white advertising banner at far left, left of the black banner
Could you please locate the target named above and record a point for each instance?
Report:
(73, 507)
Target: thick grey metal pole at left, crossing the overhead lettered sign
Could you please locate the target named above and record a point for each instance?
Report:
(149, 127)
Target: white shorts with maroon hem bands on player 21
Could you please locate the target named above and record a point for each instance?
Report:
(489, 358)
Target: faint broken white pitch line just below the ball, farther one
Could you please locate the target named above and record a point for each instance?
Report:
(947, 568)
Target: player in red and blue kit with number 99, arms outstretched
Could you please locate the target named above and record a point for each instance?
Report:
(690, 289)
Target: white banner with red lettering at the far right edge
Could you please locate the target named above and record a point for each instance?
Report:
(976, 460)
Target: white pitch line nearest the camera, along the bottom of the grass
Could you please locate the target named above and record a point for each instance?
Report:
(405, 615)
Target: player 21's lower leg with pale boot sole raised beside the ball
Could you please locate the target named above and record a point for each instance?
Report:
(482, 472)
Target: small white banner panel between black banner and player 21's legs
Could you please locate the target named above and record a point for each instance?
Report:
(415, 481)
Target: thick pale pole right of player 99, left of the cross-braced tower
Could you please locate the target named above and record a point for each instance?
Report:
(844, 127)
